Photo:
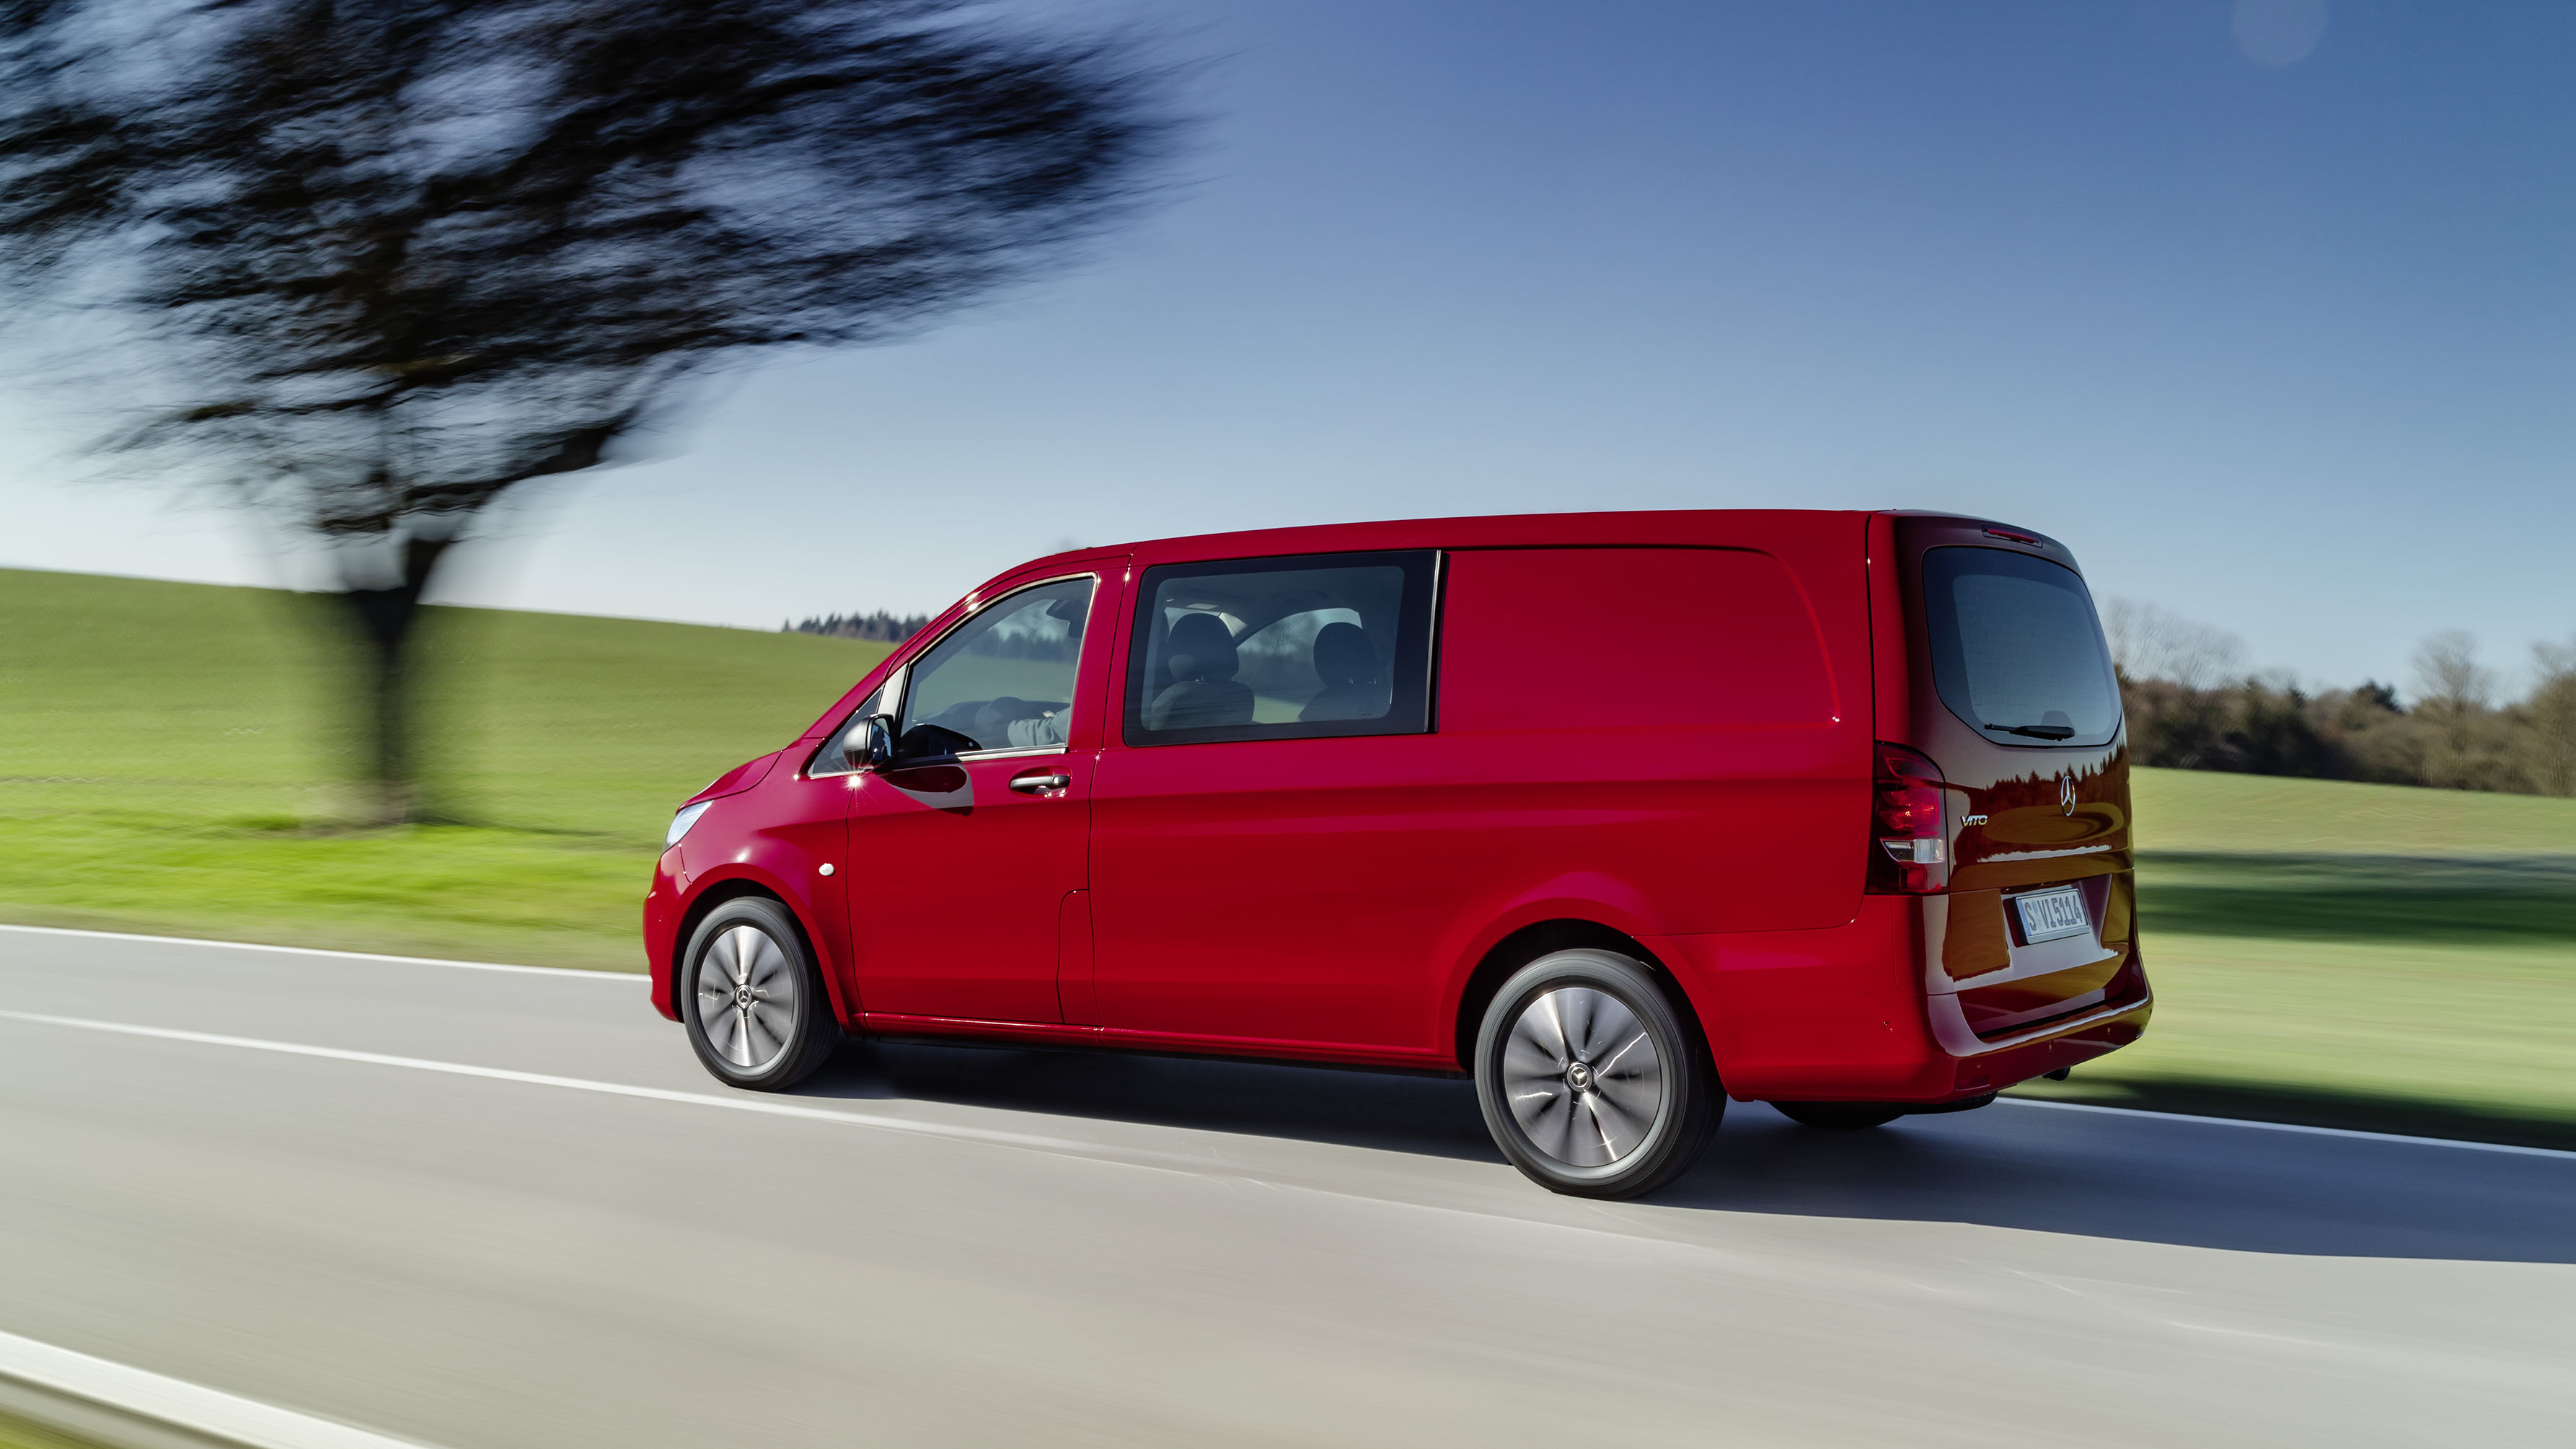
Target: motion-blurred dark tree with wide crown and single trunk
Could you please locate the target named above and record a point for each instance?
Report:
(390, 259)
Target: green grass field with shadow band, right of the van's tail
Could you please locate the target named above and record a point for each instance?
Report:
(2353, 955)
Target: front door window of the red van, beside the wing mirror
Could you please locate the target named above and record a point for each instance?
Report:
(1003, 679)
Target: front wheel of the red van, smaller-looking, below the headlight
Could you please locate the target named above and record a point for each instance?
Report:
(753, 1002)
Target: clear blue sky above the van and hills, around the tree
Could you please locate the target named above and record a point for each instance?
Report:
(2281, 342)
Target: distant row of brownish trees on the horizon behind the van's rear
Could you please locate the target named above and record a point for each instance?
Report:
(2191, 705)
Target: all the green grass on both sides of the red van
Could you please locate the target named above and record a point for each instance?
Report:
(169, 762)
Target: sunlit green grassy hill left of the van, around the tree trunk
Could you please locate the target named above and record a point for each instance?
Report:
(171, 759)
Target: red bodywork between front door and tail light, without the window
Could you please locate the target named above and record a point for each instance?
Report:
(1647, 739)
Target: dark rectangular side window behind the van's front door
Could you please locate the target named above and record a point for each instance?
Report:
(1282, 648)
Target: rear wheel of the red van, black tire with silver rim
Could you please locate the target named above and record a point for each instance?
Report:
(1591, 1082)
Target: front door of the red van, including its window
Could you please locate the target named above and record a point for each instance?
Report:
(965, 850)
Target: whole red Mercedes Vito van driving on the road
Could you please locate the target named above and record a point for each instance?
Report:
(1616, 813)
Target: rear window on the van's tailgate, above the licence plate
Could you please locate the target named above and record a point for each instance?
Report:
(2018, 651)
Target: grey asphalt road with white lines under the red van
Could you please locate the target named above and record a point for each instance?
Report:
(509, 1211)
